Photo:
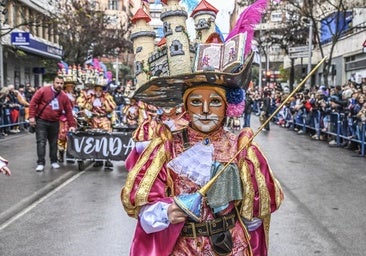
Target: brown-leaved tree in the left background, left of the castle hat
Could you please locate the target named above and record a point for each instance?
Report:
(84, 32)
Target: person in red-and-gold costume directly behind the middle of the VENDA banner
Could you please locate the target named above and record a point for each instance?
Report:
(99, 106)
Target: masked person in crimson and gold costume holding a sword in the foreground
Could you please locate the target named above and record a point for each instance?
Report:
(252, 192)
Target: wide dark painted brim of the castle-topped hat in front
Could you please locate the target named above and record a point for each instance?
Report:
(168, 91)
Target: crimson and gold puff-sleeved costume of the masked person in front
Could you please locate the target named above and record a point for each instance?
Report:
(150, 181)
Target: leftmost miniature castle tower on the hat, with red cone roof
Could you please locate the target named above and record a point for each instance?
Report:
(143, 37)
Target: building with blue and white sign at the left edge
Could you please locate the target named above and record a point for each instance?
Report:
(27, 38)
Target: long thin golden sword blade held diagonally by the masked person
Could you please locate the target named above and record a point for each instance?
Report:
(209, 184)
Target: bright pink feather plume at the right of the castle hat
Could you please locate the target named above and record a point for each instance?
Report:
(247, 20)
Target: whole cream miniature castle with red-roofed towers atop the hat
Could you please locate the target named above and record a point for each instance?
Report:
(174, 54)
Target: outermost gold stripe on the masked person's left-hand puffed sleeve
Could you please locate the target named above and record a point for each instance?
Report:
(131, 177)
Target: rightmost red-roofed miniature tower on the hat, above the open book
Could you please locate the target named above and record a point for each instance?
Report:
(204, 16)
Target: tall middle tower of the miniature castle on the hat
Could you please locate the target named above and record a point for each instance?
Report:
(174, 19)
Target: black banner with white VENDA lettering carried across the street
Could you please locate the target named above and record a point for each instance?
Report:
(100, 145)
